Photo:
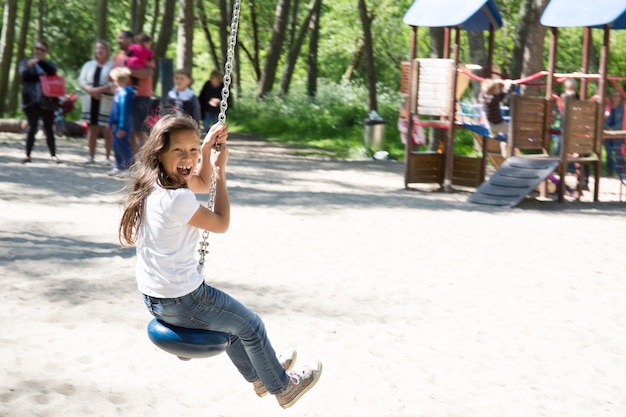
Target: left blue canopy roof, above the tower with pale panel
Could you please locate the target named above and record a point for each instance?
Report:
(474, 15)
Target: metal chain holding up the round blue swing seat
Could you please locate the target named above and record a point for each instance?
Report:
(228, 67)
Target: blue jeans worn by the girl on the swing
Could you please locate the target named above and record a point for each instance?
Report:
(209, 308)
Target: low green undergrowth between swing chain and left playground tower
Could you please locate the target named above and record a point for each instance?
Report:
(332, 121)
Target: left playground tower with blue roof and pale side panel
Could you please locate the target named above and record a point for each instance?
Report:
(431, 85)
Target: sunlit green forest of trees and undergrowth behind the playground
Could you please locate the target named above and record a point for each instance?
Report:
(306, 72)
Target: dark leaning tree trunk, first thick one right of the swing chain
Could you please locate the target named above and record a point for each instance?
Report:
(276, 45)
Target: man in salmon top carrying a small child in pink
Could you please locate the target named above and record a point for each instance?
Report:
(143, 98)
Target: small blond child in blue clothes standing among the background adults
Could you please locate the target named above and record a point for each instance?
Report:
(120, 120)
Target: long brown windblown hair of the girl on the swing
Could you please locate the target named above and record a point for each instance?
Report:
(147, 172)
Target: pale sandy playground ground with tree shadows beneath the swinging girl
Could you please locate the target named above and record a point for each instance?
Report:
(417, 302)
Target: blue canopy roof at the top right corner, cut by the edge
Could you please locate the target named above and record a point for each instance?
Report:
(585, 13)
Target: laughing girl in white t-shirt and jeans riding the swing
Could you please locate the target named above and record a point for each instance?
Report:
(162, 219)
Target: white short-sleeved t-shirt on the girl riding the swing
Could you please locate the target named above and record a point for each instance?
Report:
(167, 245)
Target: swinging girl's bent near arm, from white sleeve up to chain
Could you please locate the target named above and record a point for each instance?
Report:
(216, 221)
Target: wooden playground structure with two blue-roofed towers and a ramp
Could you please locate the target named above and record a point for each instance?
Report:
(529, 137)
